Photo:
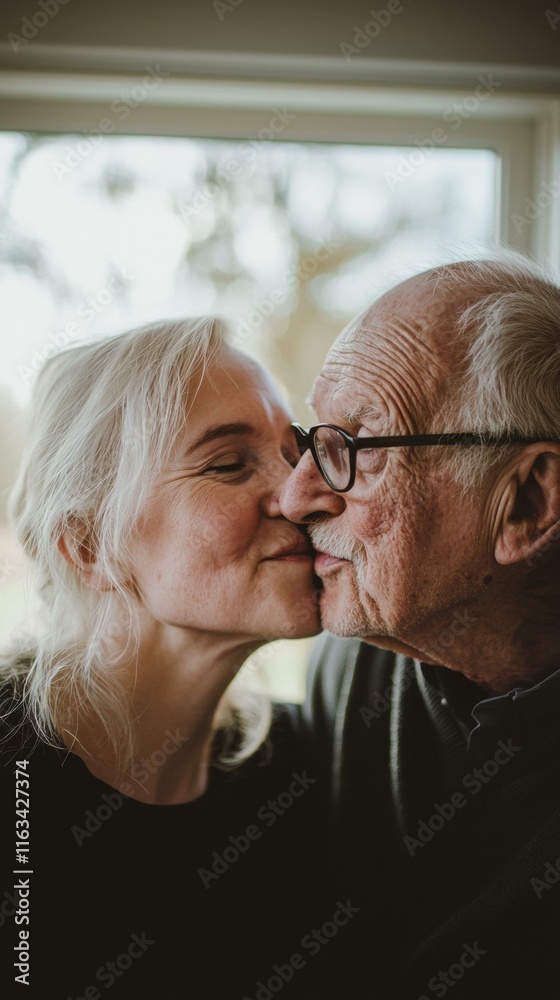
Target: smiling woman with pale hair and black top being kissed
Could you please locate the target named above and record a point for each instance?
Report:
(147, 502)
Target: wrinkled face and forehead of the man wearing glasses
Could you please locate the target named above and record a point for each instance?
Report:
(403, 549)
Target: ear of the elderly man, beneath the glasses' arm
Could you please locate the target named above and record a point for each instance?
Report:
(530, 520)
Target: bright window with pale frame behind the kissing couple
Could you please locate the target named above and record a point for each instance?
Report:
(310, 205)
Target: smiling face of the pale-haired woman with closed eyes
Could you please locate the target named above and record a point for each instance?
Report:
(214, 552)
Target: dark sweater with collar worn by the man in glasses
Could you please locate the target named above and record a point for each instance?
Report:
(446, 808)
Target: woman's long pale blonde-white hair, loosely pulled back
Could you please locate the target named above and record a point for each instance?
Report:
(104, 418)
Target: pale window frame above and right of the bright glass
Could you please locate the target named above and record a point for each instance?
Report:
(522, 129)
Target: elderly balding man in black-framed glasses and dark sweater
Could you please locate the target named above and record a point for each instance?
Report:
(433, 499)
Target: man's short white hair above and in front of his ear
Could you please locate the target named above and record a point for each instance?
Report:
(511, 380)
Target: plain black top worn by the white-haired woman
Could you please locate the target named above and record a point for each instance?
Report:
(196, 901)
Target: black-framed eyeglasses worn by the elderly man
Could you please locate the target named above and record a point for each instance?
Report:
(334, 450)
